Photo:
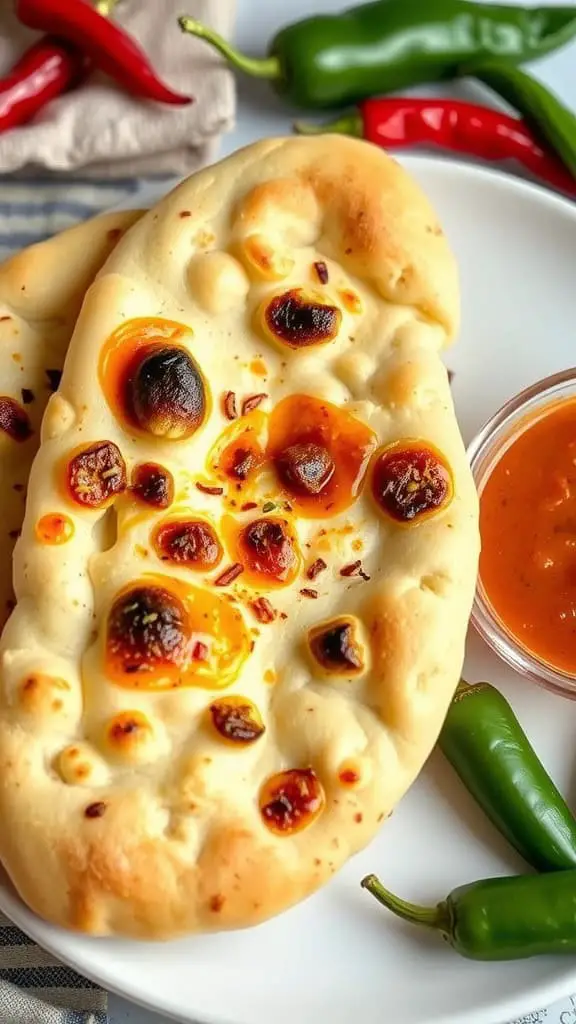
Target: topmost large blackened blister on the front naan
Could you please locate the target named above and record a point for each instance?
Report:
(298, 320)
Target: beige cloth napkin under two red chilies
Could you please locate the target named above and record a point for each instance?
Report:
(100, 131)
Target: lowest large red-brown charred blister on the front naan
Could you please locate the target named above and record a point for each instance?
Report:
(292, 800)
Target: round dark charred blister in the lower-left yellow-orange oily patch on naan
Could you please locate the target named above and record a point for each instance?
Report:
(147, 628)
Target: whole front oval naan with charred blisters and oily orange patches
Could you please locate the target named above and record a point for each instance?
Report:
(221, 682)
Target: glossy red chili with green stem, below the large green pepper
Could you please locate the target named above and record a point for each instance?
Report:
(452, 124)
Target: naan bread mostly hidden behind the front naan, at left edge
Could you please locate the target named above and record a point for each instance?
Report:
(42, 291)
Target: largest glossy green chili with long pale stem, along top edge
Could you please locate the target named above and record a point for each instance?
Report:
(331, 60)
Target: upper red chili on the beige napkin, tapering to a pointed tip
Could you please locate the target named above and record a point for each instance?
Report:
(110, 48)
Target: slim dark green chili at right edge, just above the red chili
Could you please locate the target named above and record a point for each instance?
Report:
(541, 109)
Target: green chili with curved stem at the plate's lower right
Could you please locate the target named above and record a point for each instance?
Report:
(499, 919)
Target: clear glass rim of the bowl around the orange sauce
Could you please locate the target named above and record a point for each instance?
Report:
(484, 452)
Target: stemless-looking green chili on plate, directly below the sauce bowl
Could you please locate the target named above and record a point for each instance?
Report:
(485, 744)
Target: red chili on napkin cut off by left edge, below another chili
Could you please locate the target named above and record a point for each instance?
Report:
(44, 72)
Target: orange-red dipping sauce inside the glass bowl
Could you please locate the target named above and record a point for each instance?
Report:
(528, 529)
